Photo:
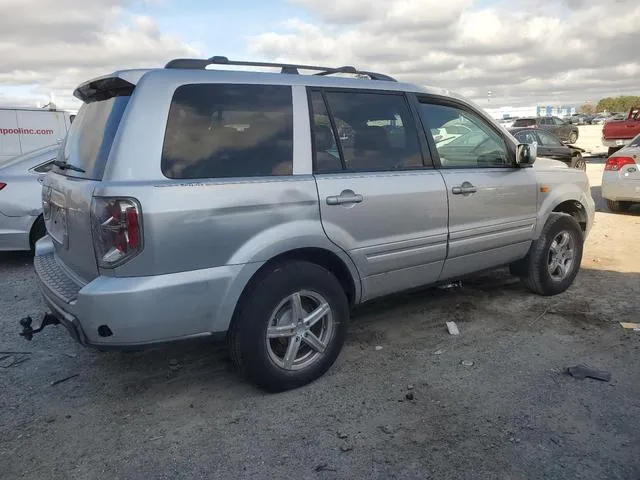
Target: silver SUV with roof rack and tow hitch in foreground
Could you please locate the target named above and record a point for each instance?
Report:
(189, 202)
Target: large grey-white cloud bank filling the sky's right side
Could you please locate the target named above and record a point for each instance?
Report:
(525, 51)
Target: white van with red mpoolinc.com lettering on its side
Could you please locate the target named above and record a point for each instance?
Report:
(25, 129)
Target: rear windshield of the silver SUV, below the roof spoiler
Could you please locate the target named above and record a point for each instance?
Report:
(89, 140)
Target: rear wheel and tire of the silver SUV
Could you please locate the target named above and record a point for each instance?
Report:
(270, 303)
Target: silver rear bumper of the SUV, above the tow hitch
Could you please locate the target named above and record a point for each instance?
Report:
(137, 311)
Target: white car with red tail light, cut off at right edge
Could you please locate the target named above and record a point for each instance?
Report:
(621, 177)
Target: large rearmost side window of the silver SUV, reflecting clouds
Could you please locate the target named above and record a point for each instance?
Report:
(223, 130)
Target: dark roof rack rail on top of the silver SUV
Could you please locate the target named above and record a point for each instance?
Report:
(288, 68)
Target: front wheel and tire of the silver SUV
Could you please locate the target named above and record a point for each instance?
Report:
(539, 275)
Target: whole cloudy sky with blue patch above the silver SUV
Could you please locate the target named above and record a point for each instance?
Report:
(523, 51)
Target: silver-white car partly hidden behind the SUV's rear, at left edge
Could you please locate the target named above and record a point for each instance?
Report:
(21, 223)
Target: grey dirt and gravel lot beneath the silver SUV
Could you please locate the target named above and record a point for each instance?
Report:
(181, 412)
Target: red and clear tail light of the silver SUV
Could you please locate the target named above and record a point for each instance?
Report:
(116, 224)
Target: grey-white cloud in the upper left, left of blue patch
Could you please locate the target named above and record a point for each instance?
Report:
(53, 46)
